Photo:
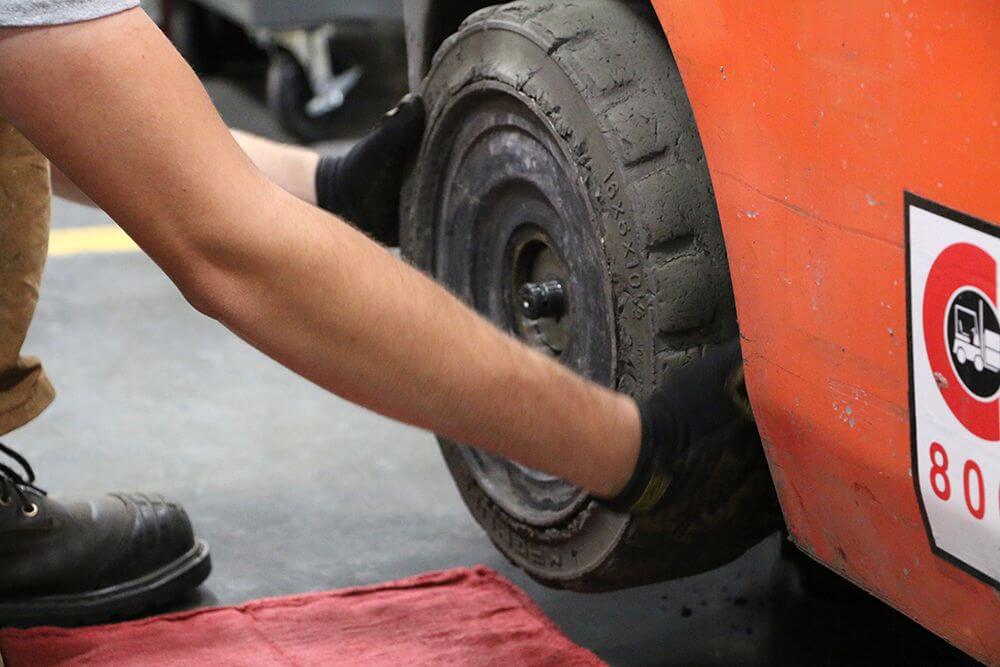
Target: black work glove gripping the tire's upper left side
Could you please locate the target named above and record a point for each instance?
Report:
(363, 186)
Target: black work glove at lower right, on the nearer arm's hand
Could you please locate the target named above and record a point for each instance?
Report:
(688, 419)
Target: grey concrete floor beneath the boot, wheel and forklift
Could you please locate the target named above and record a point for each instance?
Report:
(297, 490)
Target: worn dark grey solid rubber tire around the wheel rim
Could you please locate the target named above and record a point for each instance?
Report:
(601, 76)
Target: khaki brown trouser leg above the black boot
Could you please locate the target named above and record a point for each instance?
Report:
(25, 199)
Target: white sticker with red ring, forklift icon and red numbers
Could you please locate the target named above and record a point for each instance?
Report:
(954, 329)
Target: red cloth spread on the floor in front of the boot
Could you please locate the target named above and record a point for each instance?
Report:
(462, 616)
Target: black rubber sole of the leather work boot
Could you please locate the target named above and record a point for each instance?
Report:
(114, 603)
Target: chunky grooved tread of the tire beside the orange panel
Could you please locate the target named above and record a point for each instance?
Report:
(616, 55)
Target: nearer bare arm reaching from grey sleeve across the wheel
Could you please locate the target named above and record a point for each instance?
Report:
(297, 283)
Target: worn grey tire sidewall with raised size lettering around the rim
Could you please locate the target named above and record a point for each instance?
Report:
(558, 555)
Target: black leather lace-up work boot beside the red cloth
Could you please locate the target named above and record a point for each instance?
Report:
(85, 562)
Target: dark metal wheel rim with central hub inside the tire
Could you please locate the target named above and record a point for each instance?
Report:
(511, 239)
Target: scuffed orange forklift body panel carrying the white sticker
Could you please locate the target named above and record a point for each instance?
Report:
(827, 126)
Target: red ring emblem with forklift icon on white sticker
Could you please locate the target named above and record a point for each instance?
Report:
(962, 336)
